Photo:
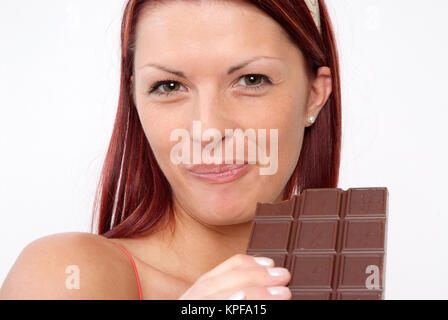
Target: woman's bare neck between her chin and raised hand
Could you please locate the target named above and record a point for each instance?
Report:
(195, 248)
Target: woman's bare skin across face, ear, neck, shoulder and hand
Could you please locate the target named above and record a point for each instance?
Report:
(212, 221)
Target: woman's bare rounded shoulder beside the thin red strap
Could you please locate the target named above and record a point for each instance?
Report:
(71, 265)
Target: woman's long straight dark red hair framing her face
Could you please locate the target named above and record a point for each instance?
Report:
(133, 195)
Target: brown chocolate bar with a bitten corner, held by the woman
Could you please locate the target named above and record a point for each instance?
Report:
(332, 241)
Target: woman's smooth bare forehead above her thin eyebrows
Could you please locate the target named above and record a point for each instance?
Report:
(207, 29)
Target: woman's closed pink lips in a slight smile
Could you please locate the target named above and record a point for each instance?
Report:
(218, 173)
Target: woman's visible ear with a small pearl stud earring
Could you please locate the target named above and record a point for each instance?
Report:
(320, 90)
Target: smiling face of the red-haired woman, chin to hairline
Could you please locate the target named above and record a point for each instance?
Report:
(198, 45)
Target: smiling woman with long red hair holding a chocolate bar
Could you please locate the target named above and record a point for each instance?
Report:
(170, 229)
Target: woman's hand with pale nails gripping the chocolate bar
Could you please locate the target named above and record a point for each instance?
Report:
(242, 277)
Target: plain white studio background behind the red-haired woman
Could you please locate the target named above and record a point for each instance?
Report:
(59, 77)
